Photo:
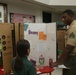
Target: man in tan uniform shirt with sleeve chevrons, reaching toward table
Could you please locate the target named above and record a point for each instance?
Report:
(68, 57)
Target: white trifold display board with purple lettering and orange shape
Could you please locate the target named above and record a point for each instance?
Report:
(42, 38)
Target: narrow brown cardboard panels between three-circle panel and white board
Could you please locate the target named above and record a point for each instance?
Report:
(17, 33)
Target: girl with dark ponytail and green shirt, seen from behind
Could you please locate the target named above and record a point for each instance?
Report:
(20, 64)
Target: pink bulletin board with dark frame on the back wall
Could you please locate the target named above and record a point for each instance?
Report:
(21, 18)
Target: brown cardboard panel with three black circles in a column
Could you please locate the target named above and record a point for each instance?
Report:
(6, 41)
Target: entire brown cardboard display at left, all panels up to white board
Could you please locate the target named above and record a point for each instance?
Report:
(9, 35)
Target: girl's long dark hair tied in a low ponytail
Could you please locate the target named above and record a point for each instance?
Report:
(22, 47)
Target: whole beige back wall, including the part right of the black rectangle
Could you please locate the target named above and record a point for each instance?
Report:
(37, 12)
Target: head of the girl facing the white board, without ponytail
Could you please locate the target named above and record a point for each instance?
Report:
(23, 48)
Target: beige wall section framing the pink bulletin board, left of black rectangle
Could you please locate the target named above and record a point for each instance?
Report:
(25, 10)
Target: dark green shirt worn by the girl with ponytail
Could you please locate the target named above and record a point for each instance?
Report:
(28, 67)
